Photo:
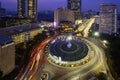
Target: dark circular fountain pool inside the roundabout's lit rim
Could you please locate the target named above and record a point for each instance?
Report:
(68, 50)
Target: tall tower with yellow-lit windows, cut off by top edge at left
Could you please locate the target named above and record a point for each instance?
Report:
(27, 8)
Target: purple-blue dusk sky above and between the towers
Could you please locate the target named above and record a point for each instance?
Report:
(11, 5)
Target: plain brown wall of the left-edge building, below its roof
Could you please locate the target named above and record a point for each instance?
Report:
(7, 58)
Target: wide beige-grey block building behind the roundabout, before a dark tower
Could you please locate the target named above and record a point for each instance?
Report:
(63, 14)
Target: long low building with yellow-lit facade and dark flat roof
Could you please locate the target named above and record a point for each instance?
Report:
(22, 33)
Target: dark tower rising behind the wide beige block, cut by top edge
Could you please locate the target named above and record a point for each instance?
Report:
(75, 5)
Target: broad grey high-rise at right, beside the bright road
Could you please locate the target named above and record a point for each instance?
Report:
(108, 18)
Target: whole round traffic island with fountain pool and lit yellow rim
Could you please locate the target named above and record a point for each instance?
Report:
(69, 51)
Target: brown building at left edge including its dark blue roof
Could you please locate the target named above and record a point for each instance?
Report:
(7, 54)
